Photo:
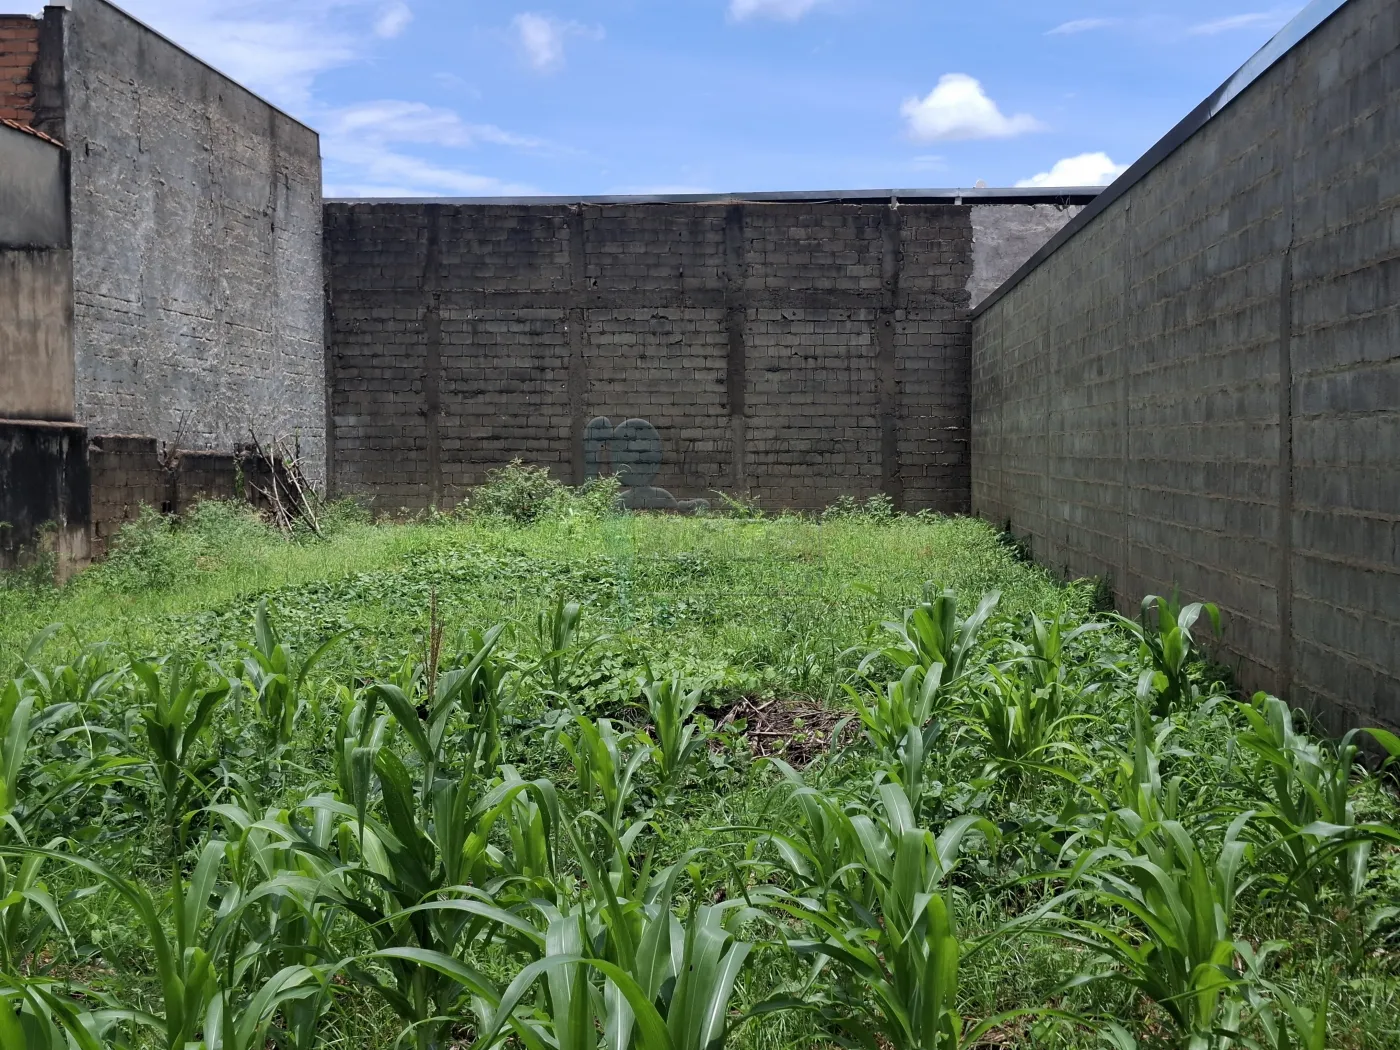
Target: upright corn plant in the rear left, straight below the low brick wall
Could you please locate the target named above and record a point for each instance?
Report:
(177, 710)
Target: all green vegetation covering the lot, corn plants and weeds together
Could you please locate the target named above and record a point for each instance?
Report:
(548, 776)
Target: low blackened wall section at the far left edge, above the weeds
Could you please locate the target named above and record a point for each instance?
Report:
(44, 482)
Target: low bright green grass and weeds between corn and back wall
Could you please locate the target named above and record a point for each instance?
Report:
(731, 596)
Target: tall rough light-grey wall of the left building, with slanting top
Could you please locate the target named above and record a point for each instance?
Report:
(197, 237)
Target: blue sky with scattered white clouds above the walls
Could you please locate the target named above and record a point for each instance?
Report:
(576, 97)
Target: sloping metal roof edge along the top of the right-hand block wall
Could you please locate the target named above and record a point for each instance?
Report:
(1284, 41)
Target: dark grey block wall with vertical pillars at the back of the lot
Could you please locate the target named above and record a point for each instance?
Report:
(794, 351)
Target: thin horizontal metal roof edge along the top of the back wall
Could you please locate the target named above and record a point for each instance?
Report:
(1020, 195)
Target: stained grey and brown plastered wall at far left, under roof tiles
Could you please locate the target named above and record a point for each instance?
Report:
(36, 281)
